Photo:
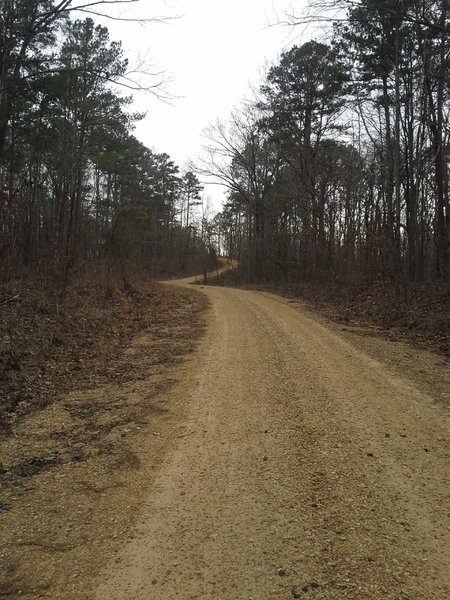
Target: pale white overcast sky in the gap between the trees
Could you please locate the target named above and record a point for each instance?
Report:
(212, 53)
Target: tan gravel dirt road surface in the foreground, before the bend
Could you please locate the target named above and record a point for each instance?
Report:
(304, 469)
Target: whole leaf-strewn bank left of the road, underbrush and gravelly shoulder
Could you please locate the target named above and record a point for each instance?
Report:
(82, 382)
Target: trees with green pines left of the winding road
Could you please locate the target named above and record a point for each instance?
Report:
(75, 185)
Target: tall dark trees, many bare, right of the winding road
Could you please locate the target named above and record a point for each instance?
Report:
(340, 167)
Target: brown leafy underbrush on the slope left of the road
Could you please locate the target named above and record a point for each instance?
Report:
(50, 342)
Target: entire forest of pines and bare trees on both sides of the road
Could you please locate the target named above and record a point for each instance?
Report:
(336, 170)
